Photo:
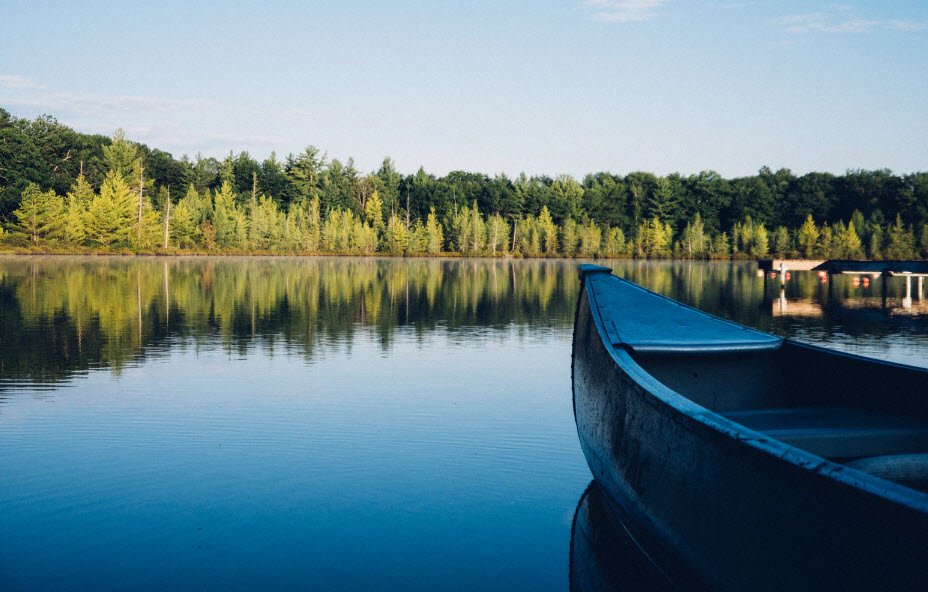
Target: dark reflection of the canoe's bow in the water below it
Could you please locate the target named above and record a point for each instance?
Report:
(603, 556)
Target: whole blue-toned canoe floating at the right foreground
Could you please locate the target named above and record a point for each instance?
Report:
(741, 460)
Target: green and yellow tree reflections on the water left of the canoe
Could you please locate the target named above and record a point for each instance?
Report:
(59, 315)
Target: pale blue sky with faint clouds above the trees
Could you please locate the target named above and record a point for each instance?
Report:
(542, 87)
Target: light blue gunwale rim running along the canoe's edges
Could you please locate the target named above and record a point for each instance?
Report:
(699, 418)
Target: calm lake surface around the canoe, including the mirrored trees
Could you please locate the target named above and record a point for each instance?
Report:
(332, 423)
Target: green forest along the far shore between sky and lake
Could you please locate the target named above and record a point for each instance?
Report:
(61, 189)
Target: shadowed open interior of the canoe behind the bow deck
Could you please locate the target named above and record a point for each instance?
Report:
(840, 407)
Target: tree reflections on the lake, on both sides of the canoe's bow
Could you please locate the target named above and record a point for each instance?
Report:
(61, 314)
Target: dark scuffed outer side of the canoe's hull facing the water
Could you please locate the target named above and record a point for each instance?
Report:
(716, 510)
